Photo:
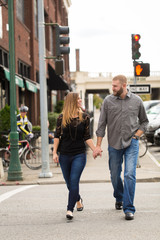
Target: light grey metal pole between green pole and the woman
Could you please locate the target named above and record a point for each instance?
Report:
(43, 94)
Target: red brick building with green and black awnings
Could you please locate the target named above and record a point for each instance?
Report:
(27, 54)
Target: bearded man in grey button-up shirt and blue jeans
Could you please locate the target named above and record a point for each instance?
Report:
(124, 114)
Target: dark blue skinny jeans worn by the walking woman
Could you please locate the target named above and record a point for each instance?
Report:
(72, 167)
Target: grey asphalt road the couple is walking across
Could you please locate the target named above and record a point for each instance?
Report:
(38, 212)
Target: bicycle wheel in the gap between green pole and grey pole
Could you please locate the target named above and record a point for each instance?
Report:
(32, 158)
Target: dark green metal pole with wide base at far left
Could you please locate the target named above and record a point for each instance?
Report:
(14, 172)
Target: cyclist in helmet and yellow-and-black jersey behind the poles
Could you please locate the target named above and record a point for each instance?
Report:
(23, 124)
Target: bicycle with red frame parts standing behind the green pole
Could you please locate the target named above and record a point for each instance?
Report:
(30, 155)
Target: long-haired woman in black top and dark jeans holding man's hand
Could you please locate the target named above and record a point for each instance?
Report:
(72, 132)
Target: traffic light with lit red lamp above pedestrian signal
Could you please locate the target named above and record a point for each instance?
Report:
(135, 46)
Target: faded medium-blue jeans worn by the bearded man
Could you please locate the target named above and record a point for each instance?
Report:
(124, 193)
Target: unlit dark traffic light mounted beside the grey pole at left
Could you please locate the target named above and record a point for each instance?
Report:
(62, 40)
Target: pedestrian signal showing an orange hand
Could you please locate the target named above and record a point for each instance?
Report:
(141, 69)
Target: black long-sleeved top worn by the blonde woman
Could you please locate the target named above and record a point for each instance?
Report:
(73, 136)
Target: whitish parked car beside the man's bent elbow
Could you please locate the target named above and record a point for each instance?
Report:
(153, 125)
